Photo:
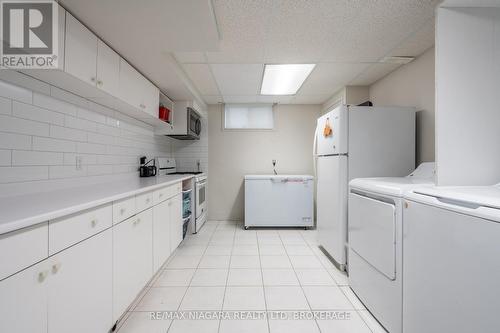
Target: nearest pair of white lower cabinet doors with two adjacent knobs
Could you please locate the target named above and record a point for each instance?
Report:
(69, 292)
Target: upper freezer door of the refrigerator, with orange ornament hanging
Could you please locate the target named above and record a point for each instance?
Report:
(336, 143)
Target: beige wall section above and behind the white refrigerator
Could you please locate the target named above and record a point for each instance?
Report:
(412, 85)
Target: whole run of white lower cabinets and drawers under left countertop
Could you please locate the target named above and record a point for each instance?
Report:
(87, 286)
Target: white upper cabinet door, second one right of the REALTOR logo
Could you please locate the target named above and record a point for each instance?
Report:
(108, 69)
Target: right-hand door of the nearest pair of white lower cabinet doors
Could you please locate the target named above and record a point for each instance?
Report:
(80, 289)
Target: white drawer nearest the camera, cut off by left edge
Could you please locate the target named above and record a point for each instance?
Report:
(22, 248)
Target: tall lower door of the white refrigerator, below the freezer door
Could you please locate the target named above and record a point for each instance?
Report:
(332, 206)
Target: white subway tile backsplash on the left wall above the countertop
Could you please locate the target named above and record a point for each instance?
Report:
(42, 137)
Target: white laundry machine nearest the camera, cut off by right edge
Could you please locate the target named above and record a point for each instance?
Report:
(451, 260)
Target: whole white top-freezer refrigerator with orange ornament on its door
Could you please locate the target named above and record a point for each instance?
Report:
(362, 141)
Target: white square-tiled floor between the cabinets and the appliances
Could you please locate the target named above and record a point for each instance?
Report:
(225, 267)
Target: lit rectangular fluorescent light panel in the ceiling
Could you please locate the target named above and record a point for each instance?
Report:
(284, 79)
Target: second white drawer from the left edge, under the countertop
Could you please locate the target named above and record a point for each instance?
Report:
(70, 230)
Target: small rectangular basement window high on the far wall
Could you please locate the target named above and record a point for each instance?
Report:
(248, 116)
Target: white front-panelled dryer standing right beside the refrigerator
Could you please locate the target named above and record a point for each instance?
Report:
(375, 242)
